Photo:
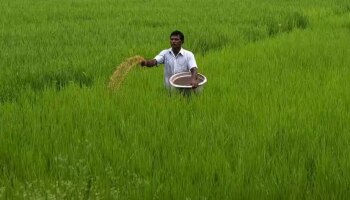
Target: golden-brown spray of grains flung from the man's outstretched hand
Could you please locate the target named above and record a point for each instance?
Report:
(122, 70)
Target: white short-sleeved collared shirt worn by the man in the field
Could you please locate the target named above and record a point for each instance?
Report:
(183, 62)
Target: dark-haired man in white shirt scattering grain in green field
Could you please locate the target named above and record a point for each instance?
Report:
(175, 60)
